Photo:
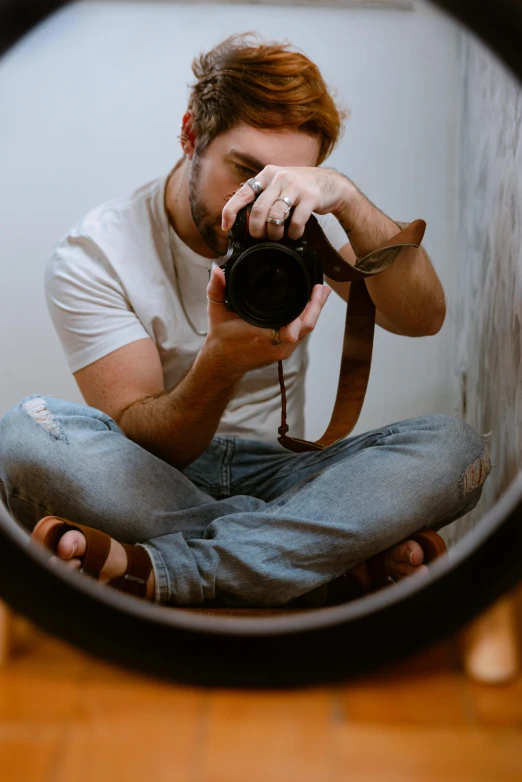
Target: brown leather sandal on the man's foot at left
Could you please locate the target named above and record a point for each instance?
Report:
(50, 529)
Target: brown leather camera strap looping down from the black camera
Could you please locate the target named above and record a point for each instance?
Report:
(358, 330)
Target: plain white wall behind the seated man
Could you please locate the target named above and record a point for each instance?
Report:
(91, 104)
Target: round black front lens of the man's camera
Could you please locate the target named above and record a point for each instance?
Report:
(269, 285)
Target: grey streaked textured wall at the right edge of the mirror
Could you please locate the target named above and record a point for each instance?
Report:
(489, 296)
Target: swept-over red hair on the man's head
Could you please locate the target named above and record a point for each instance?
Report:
(266, 86)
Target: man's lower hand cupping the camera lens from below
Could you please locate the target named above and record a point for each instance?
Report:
(239, 346)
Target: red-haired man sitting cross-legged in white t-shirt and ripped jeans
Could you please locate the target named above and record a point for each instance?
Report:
(175, 450)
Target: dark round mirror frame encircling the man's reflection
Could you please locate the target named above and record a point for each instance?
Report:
(301, 649)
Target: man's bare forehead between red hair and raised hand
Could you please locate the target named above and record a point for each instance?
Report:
(269, 147)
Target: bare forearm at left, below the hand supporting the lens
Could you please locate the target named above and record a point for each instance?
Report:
(178, 425)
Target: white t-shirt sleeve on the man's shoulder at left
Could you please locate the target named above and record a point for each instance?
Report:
(87, 303)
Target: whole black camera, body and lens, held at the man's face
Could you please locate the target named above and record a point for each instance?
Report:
(268, 283)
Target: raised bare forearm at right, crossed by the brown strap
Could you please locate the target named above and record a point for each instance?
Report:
(408, 296)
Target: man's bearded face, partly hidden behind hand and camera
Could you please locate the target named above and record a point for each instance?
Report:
(232, 158)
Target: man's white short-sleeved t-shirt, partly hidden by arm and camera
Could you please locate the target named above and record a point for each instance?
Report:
(111, 281)
